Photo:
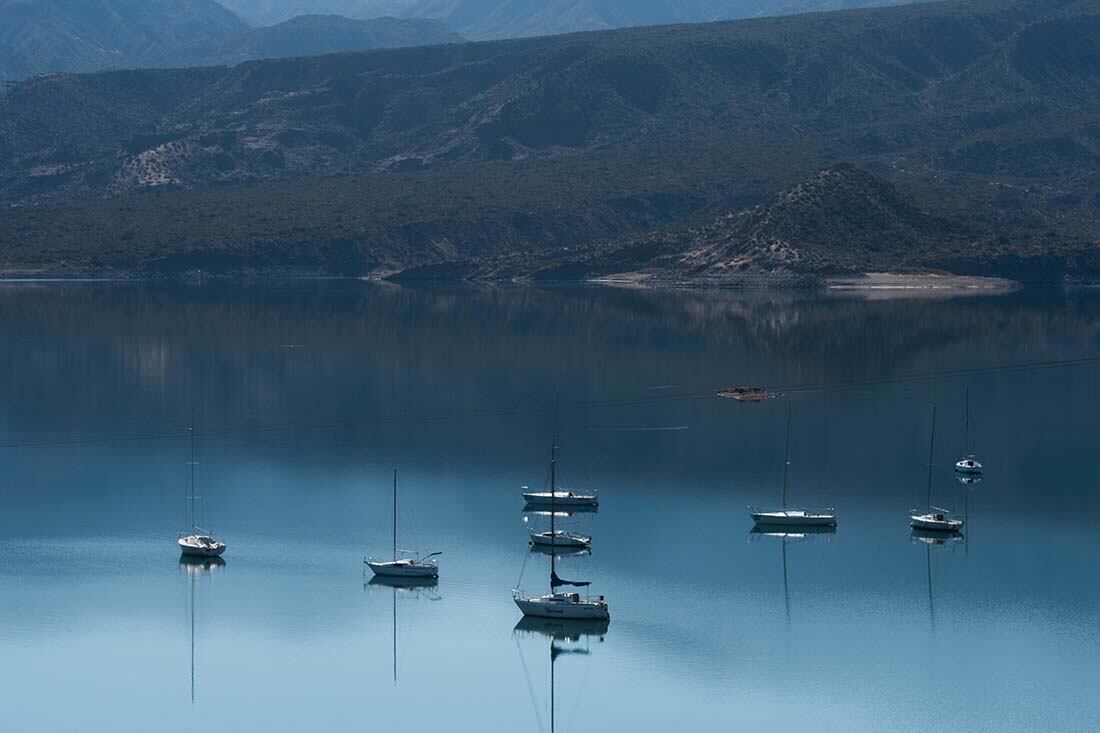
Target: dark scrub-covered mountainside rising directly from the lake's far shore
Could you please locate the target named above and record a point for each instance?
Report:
(721, 152)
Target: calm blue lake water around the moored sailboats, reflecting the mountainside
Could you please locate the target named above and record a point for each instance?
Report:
(309, 396)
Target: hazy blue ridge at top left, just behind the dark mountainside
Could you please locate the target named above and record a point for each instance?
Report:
(41, 37)
